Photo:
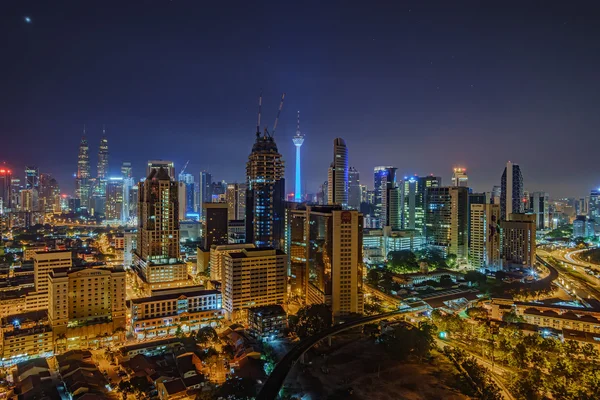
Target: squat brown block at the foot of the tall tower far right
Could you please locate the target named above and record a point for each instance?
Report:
(518, 240)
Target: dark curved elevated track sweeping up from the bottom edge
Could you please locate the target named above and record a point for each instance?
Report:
(275, 381)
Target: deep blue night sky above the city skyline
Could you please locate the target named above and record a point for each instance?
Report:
(422, 86)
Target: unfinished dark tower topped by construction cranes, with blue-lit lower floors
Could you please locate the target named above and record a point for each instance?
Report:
(265, 204)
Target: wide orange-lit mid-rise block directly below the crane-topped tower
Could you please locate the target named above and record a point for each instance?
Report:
(253, 277)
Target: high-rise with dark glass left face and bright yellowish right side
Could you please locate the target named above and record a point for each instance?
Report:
(446, 220)
